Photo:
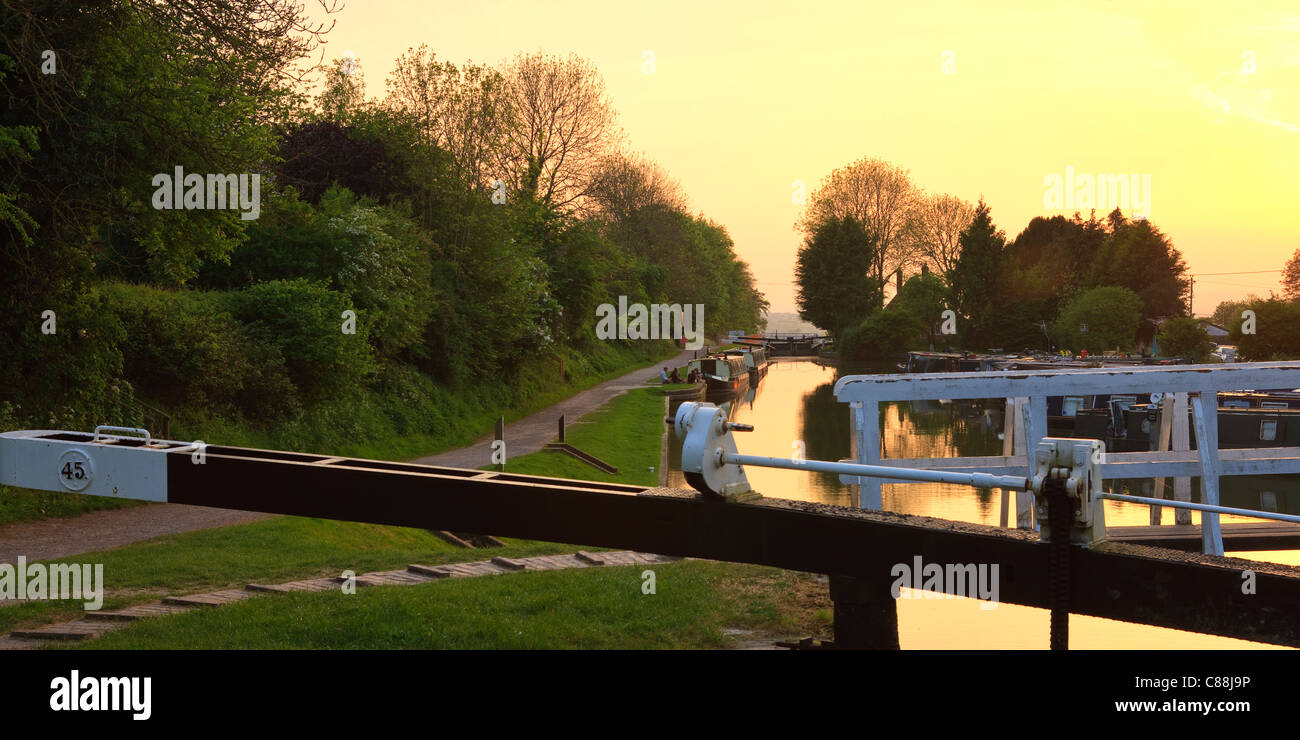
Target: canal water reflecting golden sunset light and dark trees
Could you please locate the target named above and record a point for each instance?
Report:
(795, 408)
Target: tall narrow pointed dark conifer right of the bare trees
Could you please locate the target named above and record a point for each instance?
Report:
(976, 278)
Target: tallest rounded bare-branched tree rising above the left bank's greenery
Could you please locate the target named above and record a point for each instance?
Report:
(561, 126)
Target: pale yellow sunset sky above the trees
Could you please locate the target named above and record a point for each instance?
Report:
(746, 98)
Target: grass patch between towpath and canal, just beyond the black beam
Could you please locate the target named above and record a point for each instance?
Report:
(626, 432)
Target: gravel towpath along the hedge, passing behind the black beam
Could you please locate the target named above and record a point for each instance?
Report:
(51, 539)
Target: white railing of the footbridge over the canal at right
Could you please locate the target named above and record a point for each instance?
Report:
(1028, 391)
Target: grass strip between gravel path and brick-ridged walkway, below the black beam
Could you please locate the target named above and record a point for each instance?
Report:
(275, 551)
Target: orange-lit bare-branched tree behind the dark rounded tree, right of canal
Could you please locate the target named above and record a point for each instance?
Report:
(878, 196)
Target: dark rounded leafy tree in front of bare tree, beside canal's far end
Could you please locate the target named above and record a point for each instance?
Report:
(834, 287)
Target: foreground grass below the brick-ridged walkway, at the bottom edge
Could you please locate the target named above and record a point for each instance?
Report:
(577, 609)
